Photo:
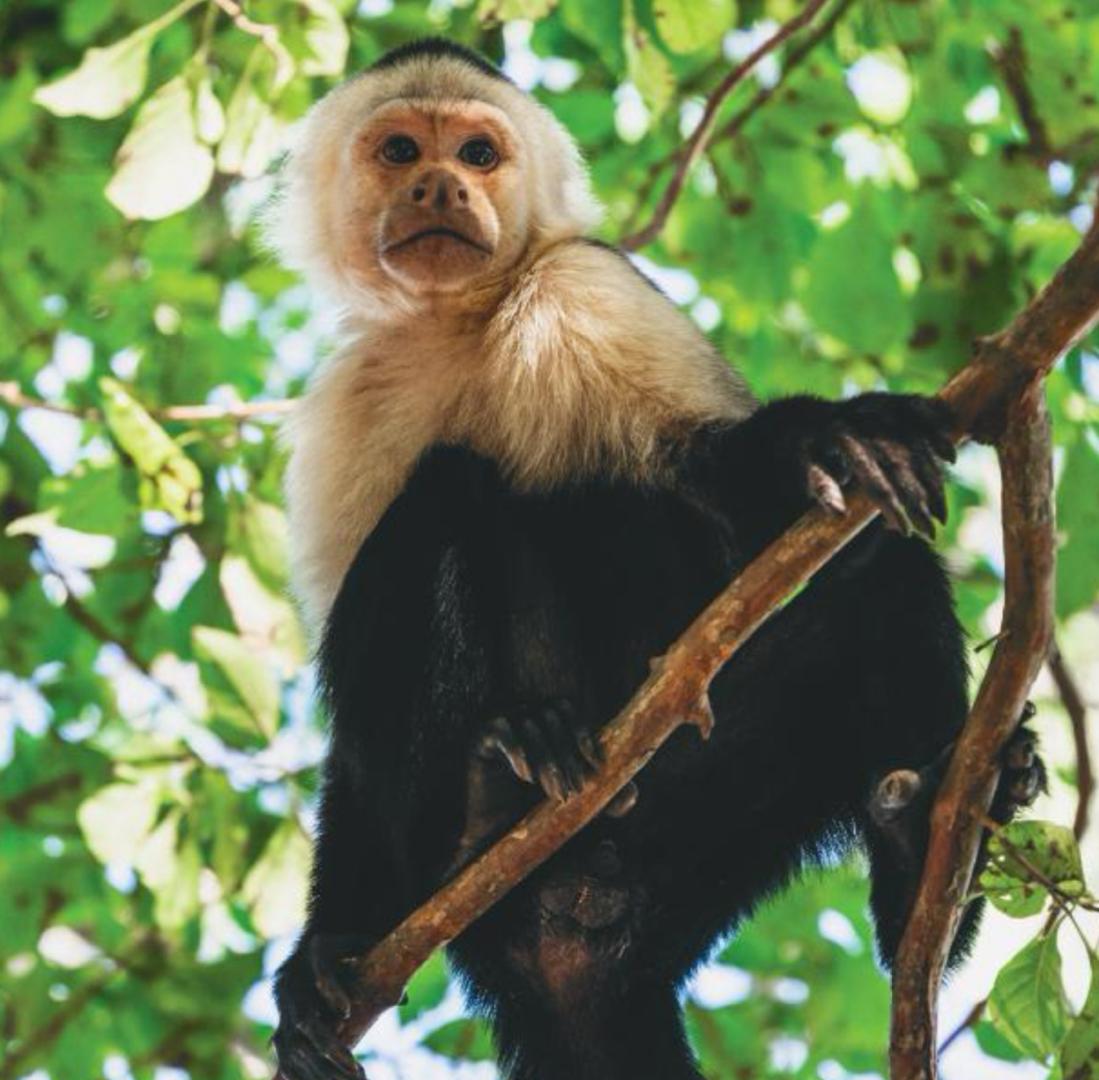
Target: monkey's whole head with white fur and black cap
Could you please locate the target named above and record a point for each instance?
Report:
(430, 175)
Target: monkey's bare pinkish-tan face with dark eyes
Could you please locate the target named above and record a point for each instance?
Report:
(438, 197)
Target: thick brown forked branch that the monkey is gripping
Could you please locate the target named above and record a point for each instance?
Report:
(985, 397)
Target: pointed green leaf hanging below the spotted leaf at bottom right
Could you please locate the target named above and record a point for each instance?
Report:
(1027, 1005)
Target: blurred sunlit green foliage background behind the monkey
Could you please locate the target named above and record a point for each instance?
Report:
(893, 183)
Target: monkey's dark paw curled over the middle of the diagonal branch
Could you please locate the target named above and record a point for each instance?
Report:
(547, 744)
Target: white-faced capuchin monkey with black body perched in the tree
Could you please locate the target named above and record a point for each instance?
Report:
(517, 482)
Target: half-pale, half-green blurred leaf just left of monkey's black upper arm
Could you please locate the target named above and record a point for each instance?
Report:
(248, 694)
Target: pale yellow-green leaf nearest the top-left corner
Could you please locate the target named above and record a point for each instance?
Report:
(107, 82)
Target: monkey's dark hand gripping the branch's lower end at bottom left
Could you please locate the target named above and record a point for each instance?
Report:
(314, 993)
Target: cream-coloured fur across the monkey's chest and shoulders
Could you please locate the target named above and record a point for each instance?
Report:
(583, 369)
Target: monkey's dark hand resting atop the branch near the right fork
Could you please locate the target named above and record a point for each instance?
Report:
(891, 446)
